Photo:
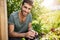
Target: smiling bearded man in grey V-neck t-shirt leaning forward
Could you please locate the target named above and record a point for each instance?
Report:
(20, 22)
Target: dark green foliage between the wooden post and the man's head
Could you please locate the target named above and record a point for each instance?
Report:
(13, 5)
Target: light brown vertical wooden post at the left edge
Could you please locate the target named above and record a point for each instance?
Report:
(3, 20)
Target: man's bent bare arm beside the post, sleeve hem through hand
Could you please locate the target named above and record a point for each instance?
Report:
(15, 34)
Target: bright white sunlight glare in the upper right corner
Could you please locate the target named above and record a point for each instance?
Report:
(51, 4)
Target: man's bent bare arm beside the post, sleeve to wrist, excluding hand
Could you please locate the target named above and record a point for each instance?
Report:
(15, 34)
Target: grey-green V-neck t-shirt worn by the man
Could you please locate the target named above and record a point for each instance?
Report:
(18, 26)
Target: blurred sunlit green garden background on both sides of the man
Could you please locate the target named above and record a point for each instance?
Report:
(45, 15)
